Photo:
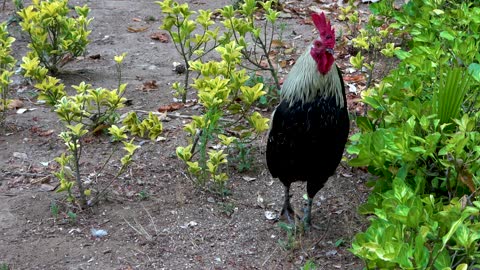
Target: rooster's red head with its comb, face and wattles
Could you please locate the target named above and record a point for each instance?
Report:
(322, 47)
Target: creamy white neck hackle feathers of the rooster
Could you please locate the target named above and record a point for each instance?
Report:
(308, 83)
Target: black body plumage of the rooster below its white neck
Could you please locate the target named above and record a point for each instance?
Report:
(306, 140)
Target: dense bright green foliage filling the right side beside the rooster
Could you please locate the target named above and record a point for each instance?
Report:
(420, 139)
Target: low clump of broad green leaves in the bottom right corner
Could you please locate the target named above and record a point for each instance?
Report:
(416, 231)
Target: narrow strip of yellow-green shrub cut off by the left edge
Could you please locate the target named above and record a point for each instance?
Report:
(7, 63)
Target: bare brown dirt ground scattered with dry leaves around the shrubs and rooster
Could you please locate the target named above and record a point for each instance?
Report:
(184, 227)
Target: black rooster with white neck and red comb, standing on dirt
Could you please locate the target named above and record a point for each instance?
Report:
(310, 125)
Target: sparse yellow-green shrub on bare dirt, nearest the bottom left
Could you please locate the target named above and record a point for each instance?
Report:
(90, 110)
